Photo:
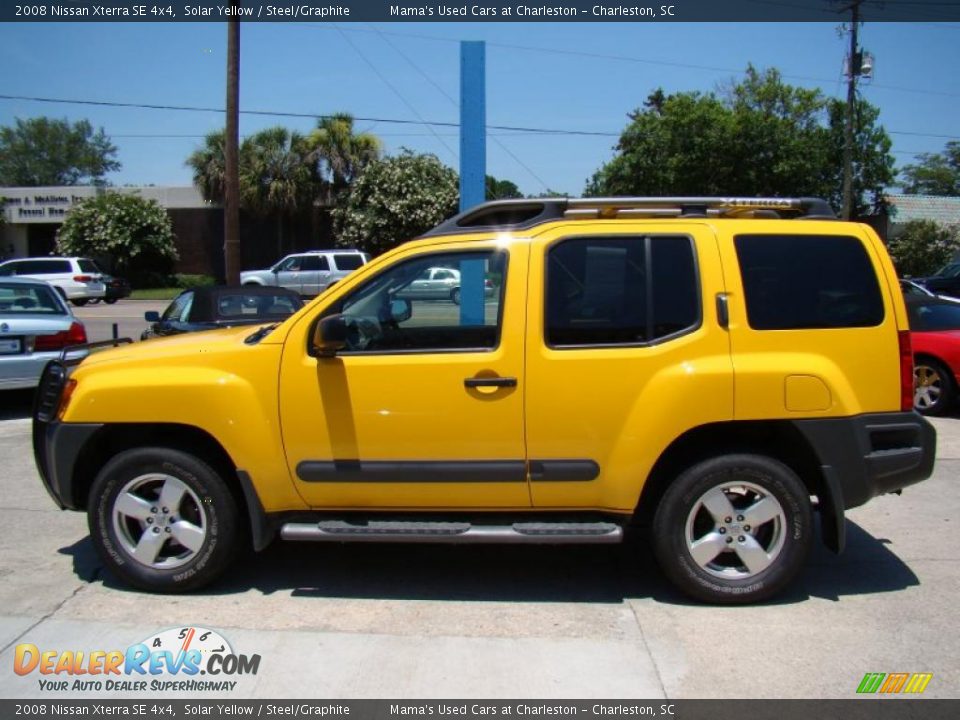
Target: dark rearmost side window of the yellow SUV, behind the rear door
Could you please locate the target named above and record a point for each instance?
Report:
(795, 282)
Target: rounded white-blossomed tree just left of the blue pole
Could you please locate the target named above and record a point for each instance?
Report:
(395, 199)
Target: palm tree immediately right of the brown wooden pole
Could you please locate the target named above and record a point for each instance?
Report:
(277, 176)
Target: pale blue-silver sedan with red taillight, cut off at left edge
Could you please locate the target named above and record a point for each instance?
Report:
(35, 326)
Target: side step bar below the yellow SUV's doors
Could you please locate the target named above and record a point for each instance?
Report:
(602, 533)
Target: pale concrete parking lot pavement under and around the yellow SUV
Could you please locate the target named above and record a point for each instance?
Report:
(403, 621)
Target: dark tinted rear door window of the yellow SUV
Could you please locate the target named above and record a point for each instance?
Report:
(620, 291)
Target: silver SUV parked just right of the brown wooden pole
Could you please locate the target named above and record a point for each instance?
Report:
(308, 273)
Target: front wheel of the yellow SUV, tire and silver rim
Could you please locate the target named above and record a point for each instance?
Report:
(207, 505)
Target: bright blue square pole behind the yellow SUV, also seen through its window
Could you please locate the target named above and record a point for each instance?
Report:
(473, 168)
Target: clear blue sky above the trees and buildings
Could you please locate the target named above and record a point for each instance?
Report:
(583, 77)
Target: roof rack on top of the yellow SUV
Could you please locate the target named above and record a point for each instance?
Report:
(525, 214)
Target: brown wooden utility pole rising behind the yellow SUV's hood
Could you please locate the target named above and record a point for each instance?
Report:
(231, 199)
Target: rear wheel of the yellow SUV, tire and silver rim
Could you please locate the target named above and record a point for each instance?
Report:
(682, 516)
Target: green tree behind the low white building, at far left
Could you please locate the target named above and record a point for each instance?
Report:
(44, 151)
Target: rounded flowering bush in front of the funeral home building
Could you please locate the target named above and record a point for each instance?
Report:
(135, 233)
